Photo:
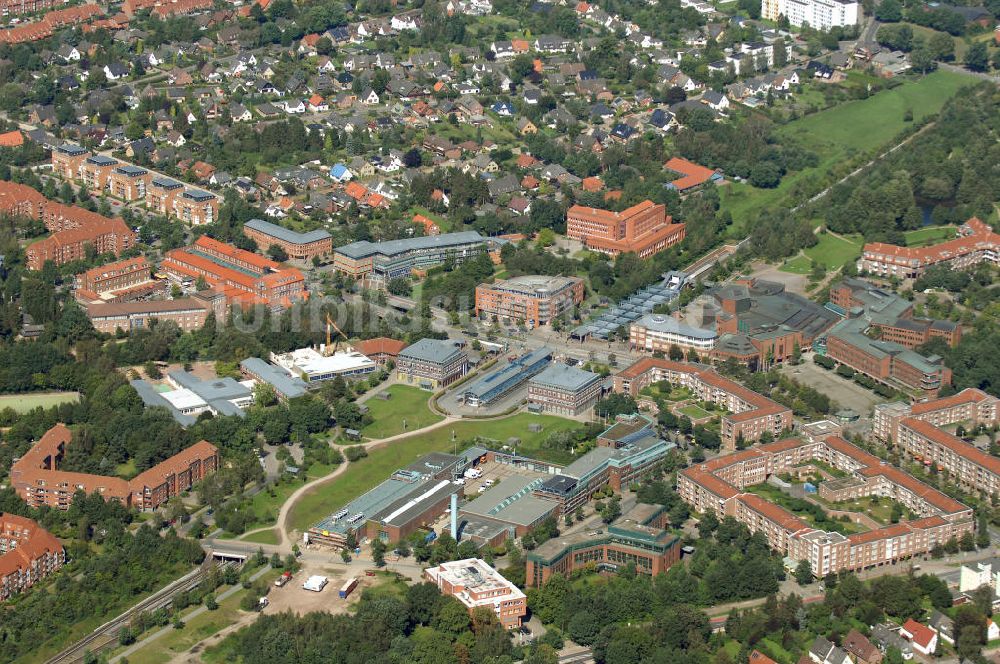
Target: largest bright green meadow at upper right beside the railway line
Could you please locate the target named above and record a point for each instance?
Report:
(838, 133)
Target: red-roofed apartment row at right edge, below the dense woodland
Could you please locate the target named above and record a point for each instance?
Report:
(977, 242)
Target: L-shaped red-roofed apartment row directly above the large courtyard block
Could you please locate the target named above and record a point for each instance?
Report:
(750, 414)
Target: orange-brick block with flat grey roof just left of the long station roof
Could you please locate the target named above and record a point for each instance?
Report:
(534, 300)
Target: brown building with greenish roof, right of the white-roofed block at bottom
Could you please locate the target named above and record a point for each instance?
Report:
(639, 537)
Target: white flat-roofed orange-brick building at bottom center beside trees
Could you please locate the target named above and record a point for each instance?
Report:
(477, 585)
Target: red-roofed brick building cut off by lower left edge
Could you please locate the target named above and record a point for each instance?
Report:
(28, 553)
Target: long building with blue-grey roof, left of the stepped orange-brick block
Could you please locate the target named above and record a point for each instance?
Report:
(382, 261)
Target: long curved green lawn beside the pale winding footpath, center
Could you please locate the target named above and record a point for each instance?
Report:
(368, 472)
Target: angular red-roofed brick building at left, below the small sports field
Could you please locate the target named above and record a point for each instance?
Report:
(37, 479)
